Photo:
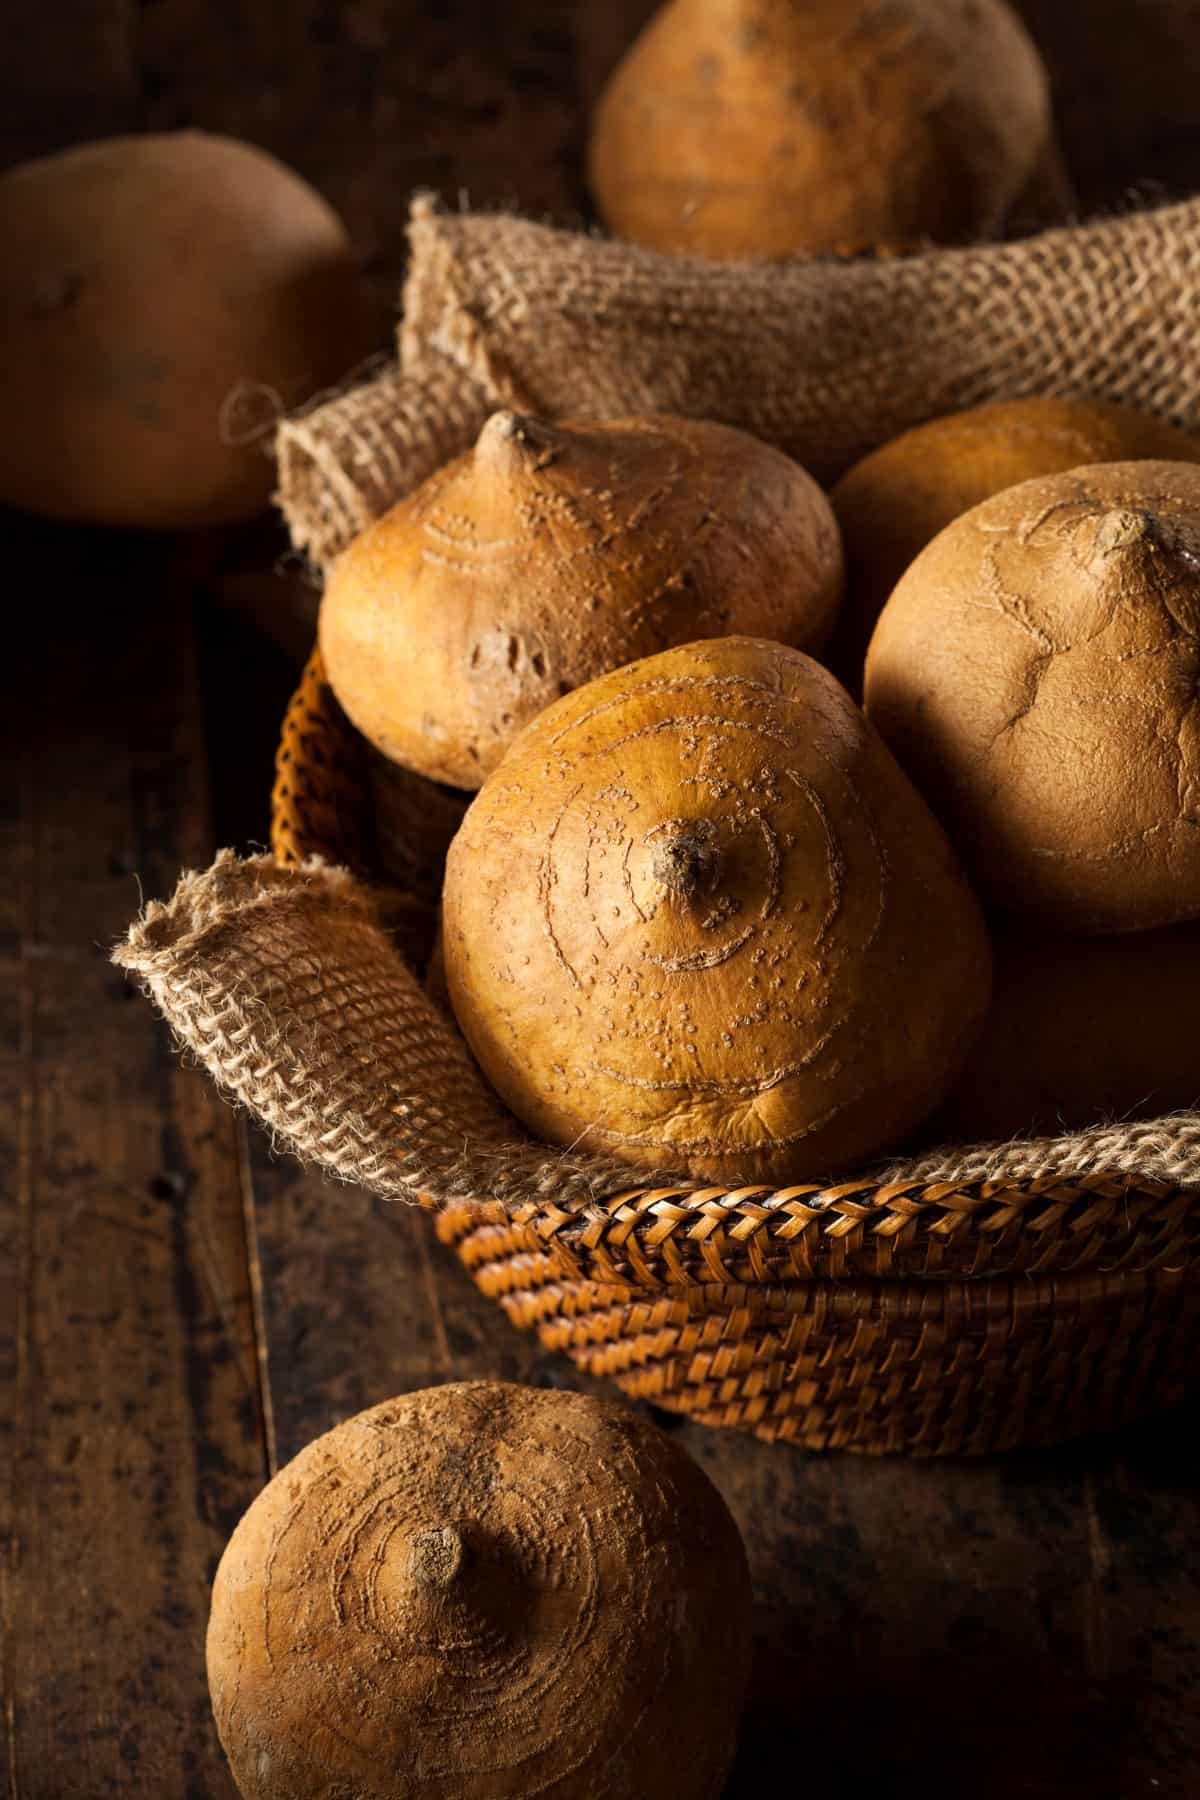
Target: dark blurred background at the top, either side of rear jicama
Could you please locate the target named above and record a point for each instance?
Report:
(373, 98)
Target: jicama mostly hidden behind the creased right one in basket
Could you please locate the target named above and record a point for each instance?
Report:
(902, 496)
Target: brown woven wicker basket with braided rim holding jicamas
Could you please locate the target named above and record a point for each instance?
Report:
(908, 1317)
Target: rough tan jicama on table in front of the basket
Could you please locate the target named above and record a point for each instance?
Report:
(483, 1592)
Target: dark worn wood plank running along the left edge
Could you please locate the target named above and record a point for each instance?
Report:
(130, 1401)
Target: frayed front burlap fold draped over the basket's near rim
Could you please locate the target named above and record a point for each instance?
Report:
(292, 994)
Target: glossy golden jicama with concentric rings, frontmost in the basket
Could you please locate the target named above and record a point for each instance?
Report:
(703, 922)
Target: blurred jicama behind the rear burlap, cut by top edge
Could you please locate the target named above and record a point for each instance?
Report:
(764, 129)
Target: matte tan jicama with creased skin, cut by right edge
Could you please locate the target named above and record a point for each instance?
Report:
(1035, 672)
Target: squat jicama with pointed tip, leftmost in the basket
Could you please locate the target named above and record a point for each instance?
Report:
(551, 553)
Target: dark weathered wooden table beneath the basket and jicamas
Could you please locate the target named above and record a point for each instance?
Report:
(181, 1313)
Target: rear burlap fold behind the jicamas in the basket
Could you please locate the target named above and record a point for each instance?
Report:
(823, 359)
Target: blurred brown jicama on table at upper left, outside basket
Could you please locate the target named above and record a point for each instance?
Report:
(168, 298)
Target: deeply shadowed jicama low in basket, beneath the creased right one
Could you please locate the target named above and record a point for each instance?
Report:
(1082, 1030)
